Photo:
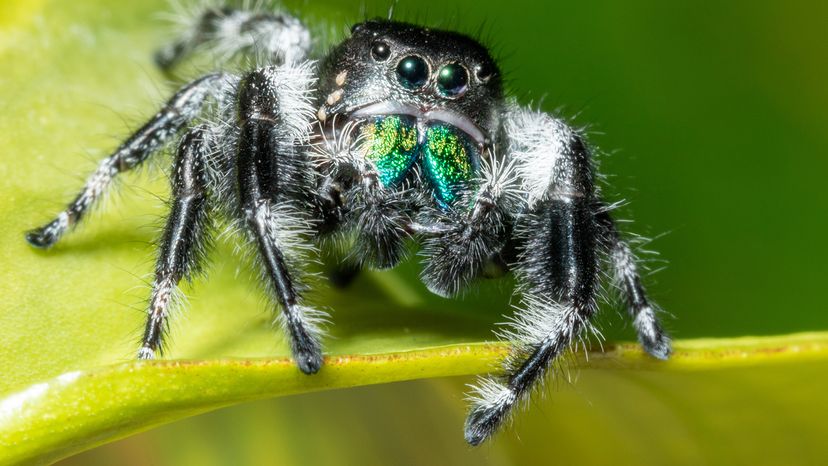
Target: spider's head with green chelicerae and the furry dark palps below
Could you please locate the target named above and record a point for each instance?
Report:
(409, 117)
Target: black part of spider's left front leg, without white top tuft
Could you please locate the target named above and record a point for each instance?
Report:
(264, 173)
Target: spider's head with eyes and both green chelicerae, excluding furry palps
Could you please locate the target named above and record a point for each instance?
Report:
(420, 97)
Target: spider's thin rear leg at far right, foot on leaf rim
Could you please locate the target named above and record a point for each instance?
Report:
(651, 334)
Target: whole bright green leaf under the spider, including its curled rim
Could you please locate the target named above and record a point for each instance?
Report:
(76, 77)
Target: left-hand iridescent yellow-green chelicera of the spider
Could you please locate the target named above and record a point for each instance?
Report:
(391, 145)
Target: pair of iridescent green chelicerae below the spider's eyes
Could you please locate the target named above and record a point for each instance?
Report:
(447, 156)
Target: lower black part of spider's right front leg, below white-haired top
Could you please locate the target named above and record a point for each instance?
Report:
(559, 267)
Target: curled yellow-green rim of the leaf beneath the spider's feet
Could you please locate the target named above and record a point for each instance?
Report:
(81, 409)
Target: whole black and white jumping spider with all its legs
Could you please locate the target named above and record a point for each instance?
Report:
(399, 132)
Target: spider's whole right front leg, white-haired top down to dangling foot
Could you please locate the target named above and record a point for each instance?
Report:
(557, 267)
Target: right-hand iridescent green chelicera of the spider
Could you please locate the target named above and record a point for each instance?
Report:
(447, 161)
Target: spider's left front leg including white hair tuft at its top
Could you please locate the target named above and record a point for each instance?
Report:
(274, 115)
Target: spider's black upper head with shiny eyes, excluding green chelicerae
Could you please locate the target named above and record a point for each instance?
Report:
(388, 67)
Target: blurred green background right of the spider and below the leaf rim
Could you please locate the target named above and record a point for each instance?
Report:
(710, 119)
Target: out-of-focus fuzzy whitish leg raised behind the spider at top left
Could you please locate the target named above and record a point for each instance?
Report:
(227, 31)
